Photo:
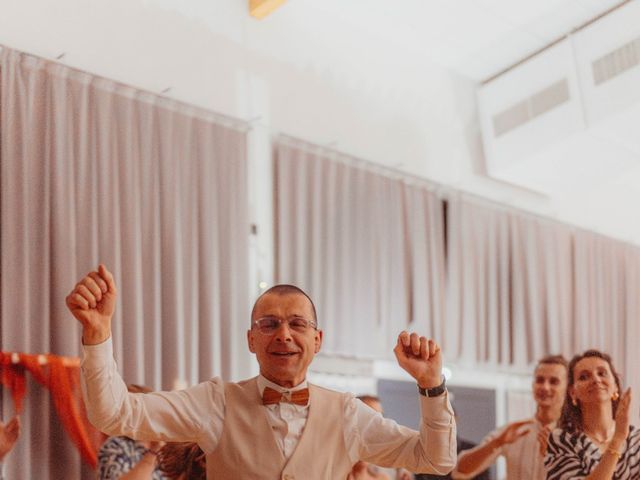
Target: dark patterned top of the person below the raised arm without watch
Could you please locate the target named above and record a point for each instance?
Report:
(118, 455)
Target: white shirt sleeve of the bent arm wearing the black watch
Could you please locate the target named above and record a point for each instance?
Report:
(375, 439)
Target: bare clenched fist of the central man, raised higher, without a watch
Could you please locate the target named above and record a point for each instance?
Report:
(92, 302)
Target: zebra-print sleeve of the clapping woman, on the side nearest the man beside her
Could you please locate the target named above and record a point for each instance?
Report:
(565, 456)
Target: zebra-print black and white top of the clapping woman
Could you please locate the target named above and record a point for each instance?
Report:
(572, 456)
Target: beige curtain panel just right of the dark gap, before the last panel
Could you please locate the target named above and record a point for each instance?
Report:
(509, 285)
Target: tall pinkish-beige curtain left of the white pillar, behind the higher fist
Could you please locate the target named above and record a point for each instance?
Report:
(95, 171)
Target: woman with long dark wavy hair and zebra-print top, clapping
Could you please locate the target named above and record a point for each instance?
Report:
(595, 440)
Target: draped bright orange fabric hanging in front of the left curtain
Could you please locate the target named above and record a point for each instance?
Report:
(61, 375)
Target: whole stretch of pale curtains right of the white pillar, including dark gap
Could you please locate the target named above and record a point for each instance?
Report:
(499, 288)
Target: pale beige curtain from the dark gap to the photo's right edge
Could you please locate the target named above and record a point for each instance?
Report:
(520, 287)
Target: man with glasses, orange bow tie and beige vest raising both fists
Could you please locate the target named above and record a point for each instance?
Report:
(275, 425)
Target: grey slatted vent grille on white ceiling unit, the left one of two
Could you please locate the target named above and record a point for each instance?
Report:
(526, 110)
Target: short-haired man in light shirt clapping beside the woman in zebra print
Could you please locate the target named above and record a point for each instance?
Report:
(520, 442)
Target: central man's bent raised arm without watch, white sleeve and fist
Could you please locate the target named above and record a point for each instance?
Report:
(194, 414)
